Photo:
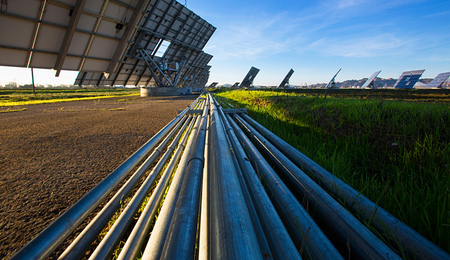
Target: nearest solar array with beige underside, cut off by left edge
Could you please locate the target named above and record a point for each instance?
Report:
(33, 33)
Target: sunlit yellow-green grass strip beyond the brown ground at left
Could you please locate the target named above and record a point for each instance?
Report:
(20, 97)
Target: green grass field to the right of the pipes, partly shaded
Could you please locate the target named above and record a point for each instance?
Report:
(396, 152)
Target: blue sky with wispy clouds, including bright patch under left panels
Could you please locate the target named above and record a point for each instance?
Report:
(315, 38)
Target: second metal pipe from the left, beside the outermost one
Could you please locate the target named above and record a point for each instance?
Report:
(91, 231)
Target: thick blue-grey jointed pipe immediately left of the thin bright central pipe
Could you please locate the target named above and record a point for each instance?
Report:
(181, 237)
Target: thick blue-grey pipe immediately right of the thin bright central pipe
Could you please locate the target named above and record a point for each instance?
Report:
(232, 234)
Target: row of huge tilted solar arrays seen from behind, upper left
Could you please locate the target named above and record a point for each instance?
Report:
(103, 37)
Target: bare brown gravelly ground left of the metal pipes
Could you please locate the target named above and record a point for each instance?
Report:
(52, 154)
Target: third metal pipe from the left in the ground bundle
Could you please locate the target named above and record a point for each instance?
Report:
(109, 242)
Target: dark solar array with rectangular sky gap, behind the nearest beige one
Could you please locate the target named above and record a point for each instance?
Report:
(165, 21)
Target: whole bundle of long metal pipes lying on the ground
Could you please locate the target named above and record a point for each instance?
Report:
(224, 200)
